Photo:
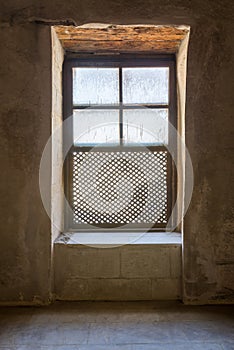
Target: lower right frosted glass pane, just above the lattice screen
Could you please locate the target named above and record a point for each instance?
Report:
(146, 126)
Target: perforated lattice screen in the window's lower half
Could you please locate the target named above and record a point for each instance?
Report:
(118, 188)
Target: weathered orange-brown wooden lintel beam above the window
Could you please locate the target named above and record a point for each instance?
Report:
(121, 38)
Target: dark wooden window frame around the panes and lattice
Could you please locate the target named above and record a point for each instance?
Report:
(120, 61)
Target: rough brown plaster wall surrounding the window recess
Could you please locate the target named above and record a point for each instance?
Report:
(25, 95)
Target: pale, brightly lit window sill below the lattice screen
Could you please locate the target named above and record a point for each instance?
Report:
(119, 238)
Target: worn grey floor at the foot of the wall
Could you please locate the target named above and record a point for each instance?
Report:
(125, 326)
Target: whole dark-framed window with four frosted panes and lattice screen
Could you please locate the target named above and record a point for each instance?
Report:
(118, 172)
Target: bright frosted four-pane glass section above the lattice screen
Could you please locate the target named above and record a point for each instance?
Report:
(104, 102)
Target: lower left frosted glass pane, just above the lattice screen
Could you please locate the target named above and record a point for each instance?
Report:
(91, 127)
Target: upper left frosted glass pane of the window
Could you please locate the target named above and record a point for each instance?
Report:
(95, 86)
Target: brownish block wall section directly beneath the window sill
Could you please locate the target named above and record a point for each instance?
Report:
(131, 272)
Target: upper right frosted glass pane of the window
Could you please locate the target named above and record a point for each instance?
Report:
(146, 85)
